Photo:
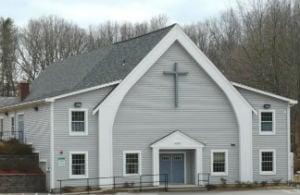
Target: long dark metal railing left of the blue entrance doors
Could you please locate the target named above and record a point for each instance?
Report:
(116, 182)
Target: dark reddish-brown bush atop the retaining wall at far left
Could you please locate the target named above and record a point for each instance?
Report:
(14, 147)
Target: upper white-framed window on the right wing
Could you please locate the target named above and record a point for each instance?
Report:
(267, 122)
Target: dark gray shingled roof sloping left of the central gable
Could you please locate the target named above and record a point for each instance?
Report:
(94, 68)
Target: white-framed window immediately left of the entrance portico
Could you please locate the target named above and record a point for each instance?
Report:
(132, 163)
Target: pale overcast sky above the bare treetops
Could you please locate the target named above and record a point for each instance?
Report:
(92, 12)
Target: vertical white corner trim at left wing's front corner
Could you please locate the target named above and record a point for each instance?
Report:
(52, 179)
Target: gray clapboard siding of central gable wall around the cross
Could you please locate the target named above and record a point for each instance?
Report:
(147, 114)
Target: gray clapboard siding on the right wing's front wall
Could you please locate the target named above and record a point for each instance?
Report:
(277, 141)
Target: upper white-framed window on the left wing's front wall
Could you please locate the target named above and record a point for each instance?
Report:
(78, 122)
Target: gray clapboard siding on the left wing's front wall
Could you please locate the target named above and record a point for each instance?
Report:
(66, 143)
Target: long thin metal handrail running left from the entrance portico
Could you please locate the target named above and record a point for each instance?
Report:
(114, 183)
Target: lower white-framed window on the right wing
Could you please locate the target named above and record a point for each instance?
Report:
(267, 162)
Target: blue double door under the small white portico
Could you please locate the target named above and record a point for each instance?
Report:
(172, 164)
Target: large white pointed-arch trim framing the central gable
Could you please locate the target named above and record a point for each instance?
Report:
(108, 109)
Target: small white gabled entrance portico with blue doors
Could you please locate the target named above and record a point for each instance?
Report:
(169, 156)
